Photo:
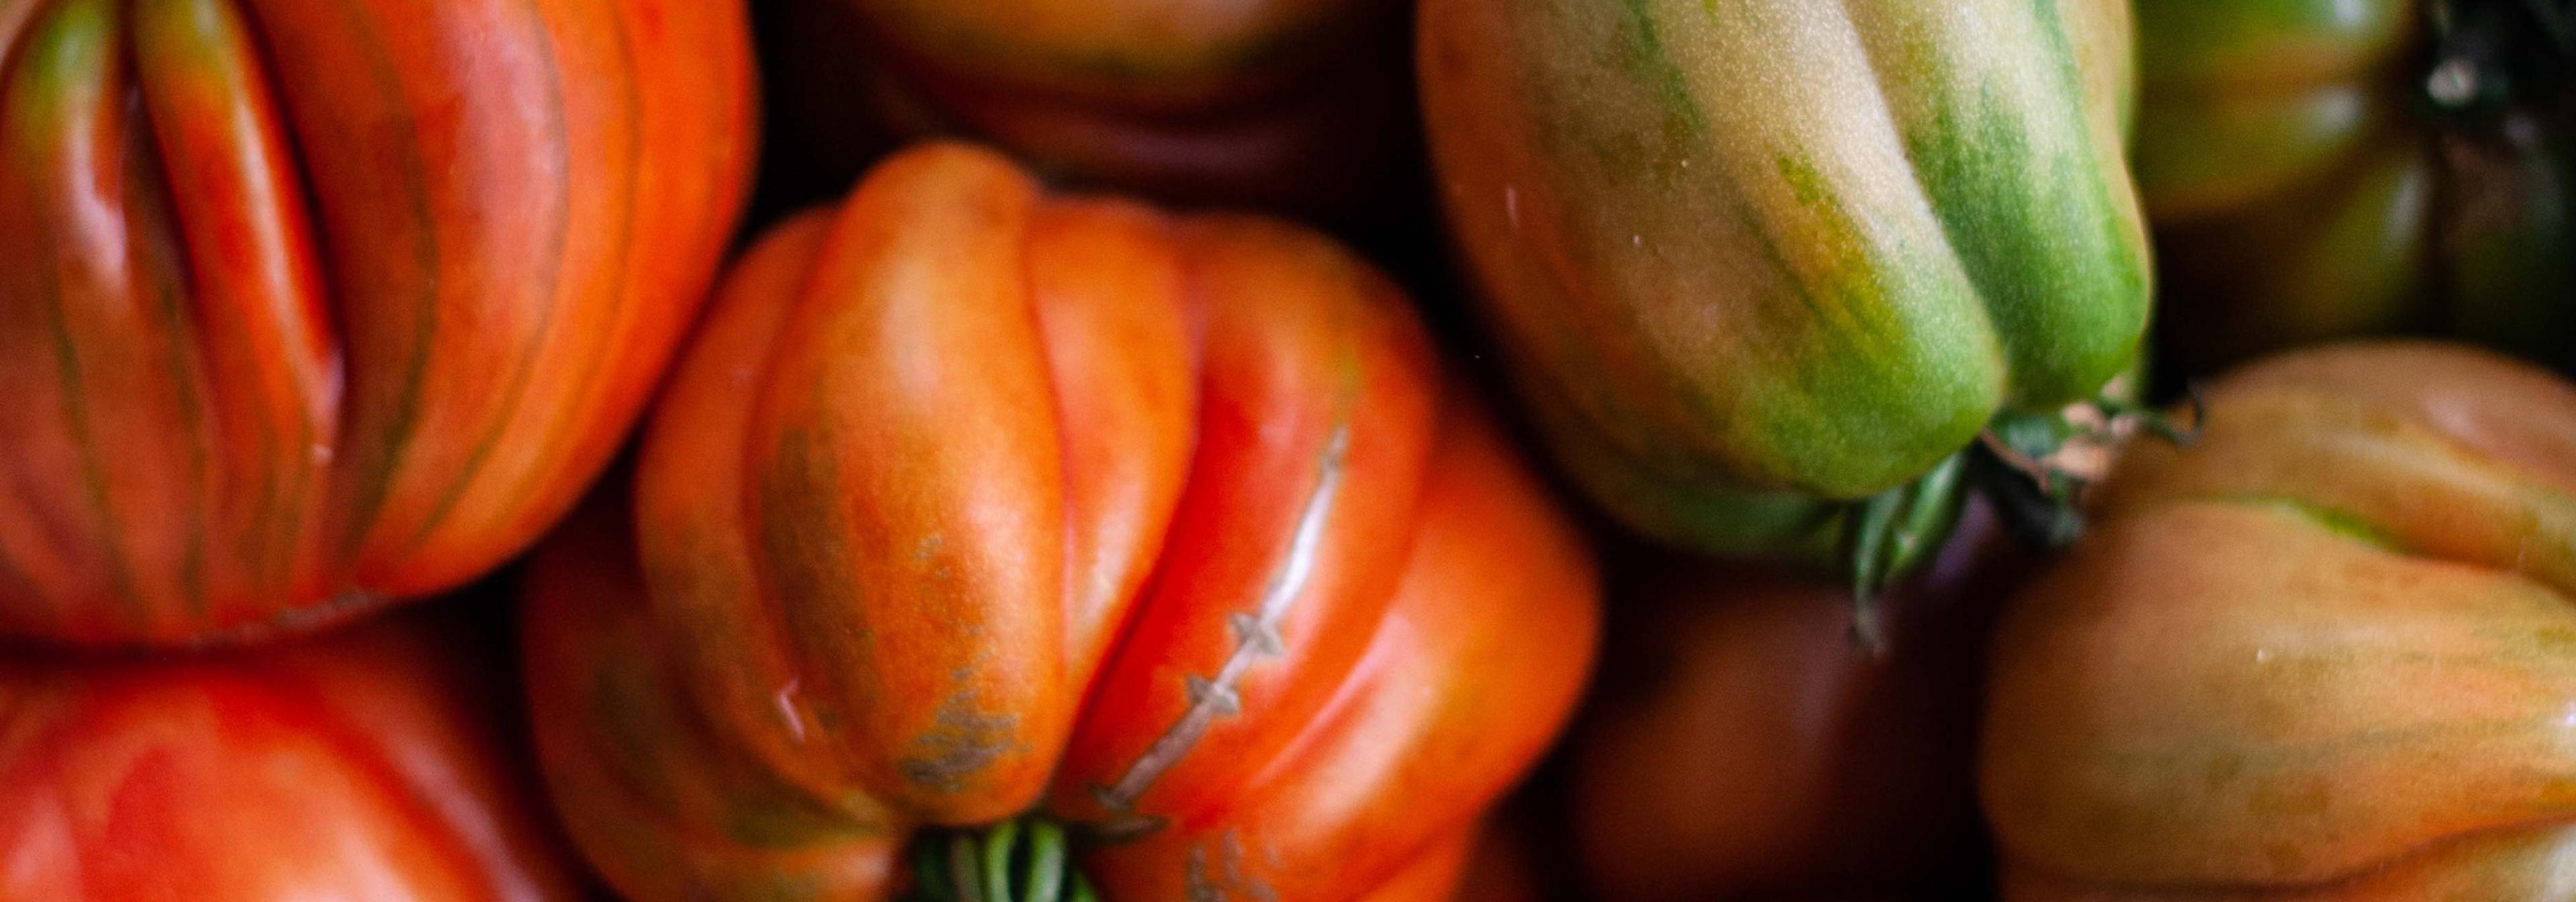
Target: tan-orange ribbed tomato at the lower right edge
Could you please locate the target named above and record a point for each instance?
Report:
(2317, 656)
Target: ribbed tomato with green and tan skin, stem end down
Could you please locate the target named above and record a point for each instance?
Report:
(1756, 262)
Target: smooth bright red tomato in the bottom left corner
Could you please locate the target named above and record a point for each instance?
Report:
(357, 767)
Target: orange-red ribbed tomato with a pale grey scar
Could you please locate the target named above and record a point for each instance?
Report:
(978, 501)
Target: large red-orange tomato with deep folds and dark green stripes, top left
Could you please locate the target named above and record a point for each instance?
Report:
(316, 305)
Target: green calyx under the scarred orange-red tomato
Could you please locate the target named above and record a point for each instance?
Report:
(1024, 859)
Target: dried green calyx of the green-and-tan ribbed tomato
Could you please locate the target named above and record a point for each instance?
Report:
(2031, 468)
